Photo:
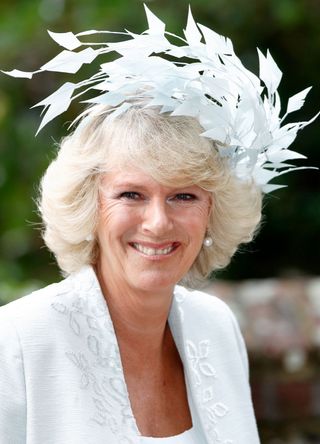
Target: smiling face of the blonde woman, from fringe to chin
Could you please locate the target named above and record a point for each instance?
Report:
(149, 234)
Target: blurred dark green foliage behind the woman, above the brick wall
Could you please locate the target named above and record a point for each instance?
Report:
(290, 237)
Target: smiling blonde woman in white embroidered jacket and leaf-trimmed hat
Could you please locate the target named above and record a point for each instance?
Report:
(136, 202)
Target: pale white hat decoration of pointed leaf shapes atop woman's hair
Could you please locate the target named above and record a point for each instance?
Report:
(237, 109)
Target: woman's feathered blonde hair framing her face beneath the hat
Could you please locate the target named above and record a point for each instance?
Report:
(172, 151)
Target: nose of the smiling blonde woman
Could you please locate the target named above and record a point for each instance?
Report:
(157, 218)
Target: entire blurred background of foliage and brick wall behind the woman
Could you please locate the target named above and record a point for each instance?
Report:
(273, 285)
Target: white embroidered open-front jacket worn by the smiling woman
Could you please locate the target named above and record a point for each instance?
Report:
(61, 378)
